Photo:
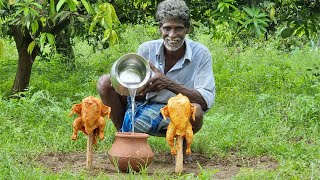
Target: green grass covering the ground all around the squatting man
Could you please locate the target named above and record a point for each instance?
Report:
(267, 104)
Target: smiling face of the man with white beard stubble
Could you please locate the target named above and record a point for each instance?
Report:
(173, 34)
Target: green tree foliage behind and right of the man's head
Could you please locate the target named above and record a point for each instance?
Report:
(240, 19)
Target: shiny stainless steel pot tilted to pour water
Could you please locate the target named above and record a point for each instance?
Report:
(130, 71)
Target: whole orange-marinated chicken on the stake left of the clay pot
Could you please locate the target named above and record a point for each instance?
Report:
(91, 114)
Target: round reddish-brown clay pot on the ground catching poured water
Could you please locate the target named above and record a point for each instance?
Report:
(131, 151)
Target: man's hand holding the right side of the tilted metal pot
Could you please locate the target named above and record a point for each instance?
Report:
(156, 83)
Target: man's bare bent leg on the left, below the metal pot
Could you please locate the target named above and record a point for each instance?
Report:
(112, 99)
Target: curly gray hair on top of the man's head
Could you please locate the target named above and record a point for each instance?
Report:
(173, 10)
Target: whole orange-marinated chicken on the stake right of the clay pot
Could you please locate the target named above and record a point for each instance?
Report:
(179, 110)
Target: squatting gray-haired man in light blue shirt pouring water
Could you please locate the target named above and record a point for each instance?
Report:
(179, 65)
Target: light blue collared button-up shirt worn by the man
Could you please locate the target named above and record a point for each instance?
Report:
(193, 70)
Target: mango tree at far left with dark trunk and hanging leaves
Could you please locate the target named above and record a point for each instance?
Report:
(35, 24)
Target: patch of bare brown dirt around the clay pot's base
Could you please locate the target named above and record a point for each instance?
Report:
(163, 162)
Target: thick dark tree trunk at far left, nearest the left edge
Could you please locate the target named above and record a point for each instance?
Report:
(25, 61)
